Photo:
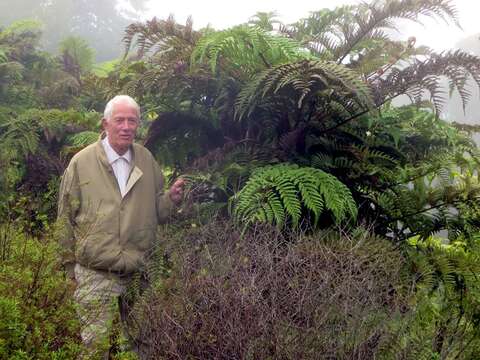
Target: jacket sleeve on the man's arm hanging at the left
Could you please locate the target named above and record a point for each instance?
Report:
(68, 206)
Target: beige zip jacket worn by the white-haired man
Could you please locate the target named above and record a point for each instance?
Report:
(100, 229)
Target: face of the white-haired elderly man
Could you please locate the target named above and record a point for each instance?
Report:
(121, 127)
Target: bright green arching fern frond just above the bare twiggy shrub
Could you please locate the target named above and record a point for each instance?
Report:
(276, 193)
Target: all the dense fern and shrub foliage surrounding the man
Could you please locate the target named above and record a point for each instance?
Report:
(271, 124)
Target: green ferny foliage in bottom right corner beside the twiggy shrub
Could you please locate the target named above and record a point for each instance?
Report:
(444, 323)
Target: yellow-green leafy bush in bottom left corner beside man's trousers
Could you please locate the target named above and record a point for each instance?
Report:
(37, 316)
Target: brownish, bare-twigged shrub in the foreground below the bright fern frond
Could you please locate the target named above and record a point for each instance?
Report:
(263, 296)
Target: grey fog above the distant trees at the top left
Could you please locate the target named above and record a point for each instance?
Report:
(100, 22)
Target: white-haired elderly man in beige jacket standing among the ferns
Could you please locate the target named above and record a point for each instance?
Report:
(111, 200)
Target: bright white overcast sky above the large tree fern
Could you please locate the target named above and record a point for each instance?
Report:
(222, 14)
